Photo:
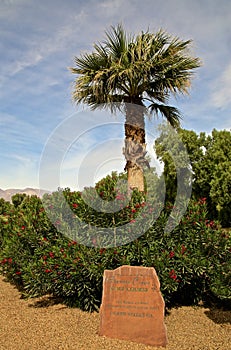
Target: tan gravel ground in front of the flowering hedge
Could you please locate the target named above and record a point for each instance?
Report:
(39, 324)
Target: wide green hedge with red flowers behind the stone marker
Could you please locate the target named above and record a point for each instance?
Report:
(192, 261)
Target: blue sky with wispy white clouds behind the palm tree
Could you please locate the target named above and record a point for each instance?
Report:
(46, 140)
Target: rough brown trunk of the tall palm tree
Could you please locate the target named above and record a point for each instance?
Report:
(135, 147)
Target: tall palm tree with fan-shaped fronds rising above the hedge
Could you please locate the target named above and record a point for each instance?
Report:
(136, 73)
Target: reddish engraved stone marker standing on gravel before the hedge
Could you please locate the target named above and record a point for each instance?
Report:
(132, 306)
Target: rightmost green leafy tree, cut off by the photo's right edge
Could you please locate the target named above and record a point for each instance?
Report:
(214, 174)
